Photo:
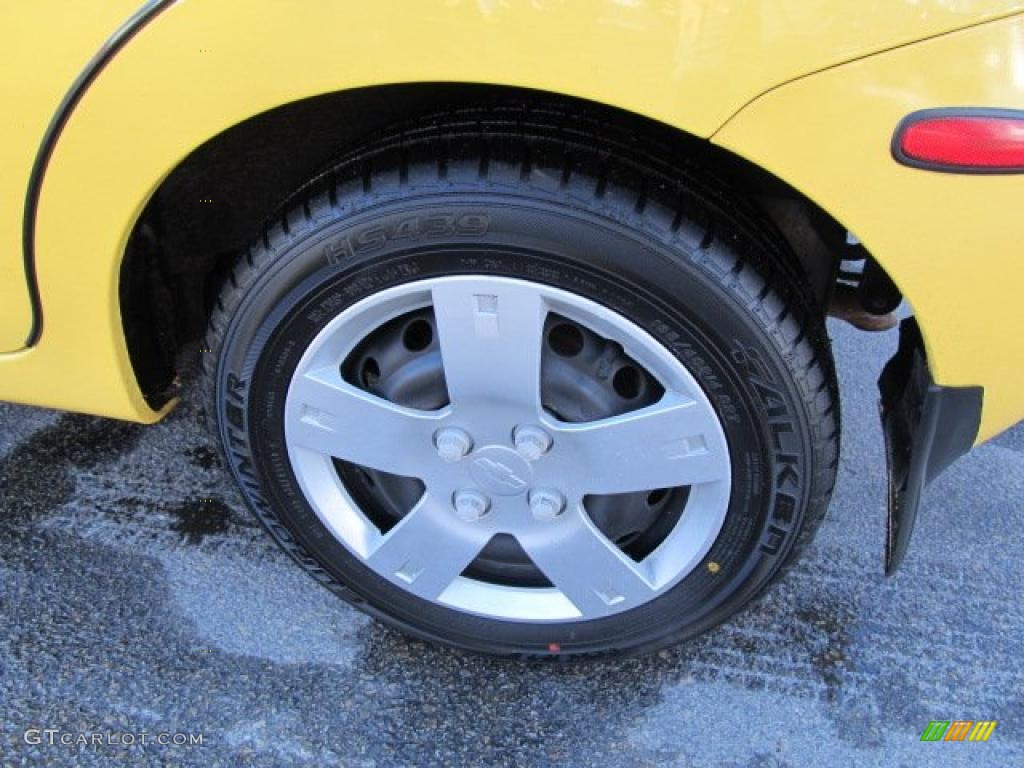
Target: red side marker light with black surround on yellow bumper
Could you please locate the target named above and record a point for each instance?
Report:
(968, 141)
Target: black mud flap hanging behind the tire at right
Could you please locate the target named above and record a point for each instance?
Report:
(927, 428)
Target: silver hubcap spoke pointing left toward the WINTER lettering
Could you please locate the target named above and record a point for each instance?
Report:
(330, 416)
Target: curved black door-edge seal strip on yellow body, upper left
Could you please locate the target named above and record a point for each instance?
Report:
(96, 66)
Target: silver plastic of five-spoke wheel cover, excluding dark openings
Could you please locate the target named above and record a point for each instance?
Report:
(480, 483)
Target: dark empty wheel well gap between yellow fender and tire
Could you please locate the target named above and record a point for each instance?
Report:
(223, 194)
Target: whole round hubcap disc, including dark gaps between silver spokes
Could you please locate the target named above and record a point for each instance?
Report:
(507, 449)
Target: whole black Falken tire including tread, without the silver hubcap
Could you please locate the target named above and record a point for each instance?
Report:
(561, 200)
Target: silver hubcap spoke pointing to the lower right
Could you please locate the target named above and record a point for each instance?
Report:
(588, 569)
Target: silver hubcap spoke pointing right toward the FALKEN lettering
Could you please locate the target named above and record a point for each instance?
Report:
(675, 442)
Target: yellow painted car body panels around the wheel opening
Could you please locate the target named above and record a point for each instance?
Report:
(809, 92)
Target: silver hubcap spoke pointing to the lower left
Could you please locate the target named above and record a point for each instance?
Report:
(428, 549)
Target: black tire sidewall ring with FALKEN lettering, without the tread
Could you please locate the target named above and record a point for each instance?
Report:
(684, 295)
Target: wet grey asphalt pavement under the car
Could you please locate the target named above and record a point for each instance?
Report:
(137, 594)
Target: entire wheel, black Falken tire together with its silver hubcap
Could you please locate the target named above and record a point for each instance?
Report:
(638, 267)
